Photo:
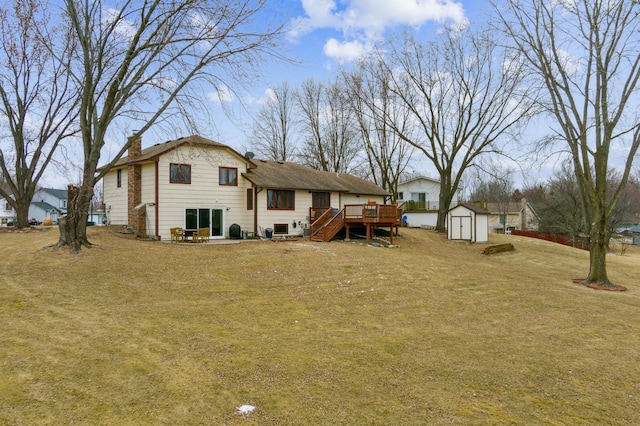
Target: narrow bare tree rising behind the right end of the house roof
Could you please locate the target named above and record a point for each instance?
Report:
(373, 103)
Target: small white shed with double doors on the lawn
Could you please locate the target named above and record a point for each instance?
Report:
(468, 222)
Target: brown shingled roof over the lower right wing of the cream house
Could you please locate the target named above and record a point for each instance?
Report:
(287, 175)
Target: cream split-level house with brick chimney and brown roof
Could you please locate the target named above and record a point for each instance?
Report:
(194, 182)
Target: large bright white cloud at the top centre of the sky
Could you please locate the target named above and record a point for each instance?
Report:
(362, 22)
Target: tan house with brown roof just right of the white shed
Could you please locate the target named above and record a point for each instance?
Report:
(511, 215)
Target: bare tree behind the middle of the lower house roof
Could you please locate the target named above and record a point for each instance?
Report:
(329, 142)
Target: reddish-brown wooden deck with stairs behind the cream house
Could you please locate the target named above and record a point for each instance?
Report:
(326, 223)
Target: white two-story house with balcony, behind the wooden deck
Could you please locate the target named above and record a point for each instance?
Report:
(419, 198)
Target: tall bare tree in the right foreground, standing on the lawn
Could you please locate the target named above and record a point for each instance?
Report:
(587, 55)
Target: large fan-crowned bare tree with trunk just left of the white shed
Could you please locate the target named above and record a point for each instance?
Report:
(465, 95)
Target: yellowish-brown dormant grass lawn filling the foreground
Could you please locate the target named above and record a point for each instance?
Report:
(431, 332)
